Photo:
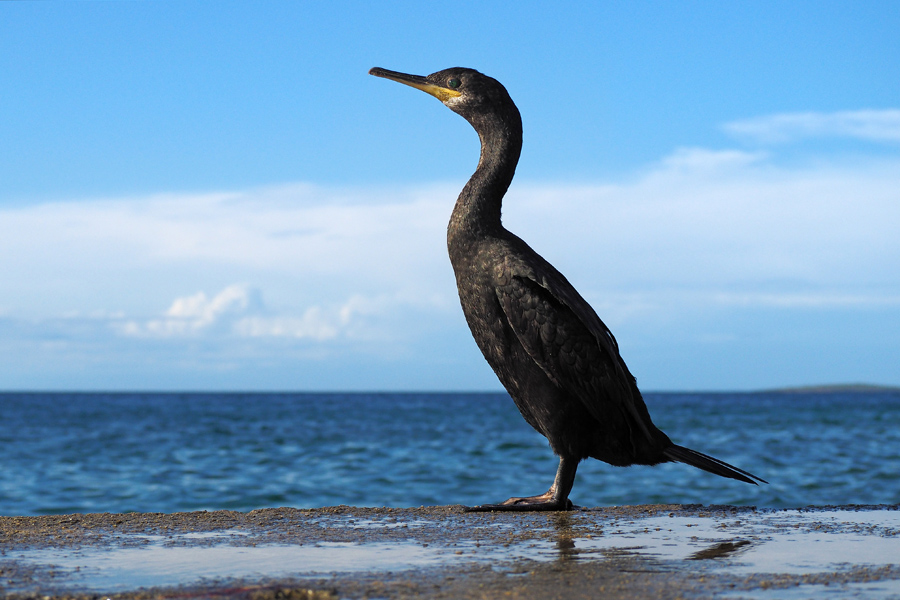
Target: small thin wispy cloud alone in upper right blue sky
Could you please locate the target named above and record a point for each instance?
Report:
(870, 125)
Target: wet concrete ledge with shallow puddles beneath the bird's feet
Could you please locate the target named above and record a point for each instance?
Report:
(659, 551)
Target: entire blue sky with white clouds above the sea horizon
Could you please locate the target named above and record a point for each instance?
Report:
(214, 195)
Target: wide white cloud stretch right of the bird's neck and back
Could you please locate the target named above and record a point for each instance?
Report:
(726, 222)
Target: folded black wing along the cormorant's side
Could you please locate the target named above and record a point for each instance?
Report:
(566, 338)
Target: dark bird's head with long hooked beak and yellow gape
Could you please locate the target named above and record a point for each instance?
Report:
(464, 91)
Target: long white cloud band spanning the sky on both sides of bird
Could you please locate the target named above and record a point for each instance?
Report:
(699, 219)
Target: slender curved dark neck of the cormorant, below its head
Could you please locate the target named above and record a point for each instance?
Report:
(477, 210)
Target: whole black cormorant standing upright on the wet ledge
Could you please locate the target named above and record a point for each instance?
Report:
(553, 354)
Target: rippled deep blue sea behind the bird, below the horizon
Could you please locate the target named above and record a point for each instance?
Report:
(153, 452)
